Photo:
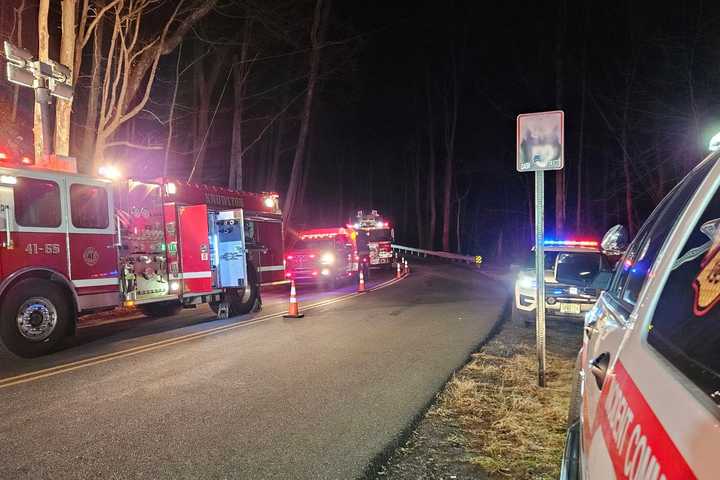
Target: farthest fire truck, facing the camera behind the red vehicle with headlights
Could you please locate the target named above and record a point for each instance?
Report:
(375, 237)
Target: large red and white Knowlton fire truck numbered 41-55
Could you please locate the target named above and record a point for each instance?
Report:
(73, 244)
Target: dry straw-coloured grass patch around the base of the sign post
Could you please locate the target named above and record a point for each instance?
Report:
(510, 426)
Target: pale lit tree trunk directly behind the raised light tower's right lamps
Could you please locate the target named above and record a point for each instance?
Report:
(67, 58)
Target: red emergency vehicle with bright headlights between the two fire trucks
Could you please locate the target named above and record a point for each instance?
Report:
(324, 256)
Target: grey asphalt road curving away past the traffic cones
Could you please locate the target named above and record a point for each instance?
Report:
(254, 397)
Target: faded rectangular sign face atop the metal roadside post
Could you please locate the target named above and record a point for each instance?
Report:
(540, 141)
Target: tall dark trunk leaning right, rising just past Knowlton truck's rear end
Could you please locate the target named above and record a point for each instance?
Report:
(317, 34)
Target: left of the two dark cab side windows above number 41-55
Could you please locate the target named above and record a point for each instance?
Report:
(37, 203)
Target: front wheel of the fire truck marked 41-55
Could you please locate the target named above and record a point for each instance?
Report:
(35, 316)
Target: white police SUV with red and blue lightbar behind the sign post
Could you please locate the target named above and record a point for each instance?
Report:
(582, 257)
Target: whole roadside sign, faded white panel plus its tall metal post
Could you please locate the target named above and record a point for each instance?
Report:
(540, 140)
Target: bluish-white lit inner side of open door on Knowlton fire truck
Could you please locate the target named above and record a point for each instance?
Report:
(230, 249)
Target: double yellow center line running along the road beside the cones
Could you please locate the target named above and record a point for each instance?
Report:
(107, 357)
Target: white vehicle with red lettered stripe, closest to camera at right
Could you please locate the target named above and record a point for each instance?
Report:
(646, 403)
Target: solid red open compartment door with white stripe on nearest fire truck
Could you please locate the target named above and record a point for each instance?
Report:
(194, 249)
